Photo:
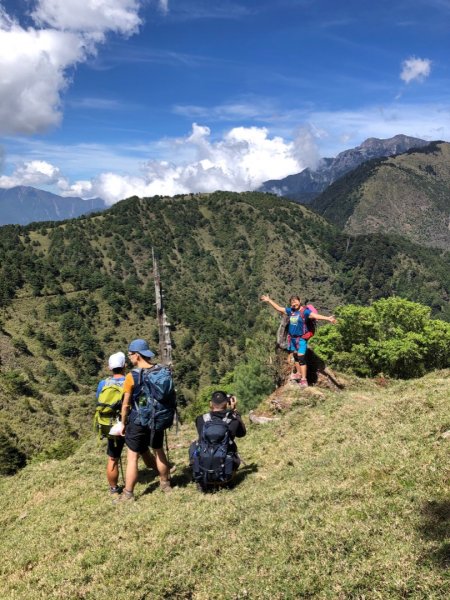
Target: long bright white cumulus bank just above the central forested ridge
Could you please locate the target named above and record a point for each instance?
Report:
(242, 160)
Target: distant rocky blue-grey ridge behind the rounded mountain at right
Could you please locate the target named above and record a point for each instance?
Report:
(305, 186)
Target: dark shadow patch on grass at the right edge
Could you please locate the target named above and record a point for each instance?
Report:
(435, 526)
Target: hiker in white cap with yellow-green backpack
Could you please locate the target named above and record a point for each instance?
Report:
(113, 386)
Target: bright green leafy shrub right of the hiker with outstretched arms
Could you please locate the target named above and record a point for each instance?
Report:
(395, 337)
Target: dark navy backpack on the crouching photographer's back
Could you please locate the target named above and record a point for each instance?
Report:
(212, 461)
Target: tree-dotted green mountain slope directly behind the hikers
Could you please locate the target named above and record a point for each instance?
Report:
(74, 292)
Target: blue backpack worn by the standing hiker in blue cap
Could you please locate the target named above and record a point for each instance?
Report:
(154, 397)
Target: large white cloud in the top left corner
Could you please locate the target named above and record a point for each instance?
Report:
(35, 62)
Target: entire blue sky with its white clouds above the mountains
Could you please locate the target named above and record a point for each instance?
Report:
(116, 97)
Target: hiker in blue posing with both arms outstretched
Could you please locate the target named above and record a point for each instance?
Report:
(298, 333)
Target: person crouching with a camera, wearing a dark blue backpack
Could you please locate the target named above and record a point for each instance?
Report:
(214, 457)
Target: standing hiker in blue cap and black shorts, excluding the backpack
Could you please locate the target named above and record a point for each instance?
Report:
(138, 437)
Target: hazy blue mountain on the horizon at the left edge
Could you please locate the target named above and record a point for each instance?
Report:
(23, 204)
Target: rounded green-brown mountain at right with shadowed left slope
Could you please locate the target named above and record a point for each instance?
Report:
(408, 195)
